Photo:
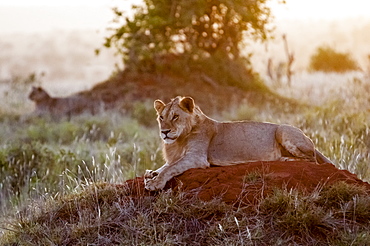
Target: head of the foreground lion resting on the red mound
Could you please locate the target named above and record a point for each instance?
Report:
(176, 119)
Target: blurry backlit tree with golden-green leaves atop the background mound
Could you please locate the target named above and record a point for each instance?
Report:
(194, 30)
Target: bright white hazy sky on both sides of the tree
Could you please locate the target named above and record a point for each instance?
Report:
(43, 15)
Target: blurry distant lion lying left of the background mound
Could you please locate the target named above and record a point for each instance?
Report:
(58, 106)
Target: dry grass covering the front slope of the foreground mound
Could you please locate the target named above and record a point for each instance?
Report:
(102, 214)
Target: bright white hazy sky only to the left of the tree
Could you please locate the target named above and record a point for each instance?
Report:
(44, 15)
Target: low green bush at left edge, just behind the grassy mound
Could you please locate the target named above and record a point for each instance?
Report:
(25, 166)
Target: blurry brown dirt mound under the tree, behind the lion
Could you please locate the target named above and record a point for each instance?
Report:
(120, 91)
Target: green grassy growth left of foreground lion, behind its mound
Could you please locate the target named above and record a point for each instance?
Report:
(38, 155)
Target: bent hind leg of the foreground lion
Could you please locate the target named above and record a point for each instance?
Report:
(296, 144)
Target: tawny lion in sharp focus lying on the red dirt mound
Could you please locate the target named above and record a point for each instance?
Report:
(193, 140)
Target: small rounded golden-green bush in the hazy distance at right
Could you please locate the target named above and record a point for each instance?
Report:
(326, 59)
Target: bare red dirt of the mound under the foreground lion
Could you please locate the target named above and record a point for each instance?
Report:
(244, 184)
